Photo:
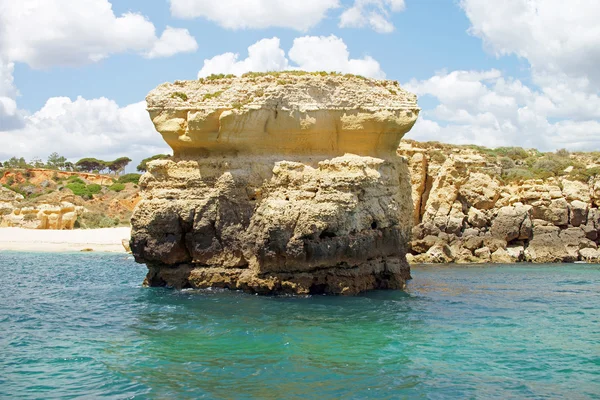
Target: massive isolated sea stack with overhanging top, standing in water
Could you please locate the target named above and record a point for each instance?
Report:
(279, 184)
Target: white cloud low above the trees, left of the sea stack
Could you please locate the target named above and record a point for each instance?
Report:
(84, 128)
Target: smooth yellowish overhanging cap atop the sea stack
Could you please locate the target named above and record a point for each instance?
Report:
(285, 113)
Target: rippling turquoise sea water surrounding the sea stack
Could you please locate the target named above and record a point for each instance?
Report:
(80, 326)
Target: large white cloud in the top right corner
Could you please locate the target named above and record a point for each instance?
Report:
(560, 39)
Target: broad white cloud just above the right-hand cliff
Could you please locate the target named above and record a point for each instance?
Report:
(486, 108)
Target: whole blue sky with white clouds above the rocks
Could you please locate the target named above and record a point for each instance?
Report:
(74, 74)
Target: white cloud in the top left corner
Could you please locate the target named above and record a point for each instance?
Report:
(45, 33)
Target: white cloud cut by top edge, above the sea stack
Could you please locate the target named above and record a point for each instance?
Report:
(243, 14)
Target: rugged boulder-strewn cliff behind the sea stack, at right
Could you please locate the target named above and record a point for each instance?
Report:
(508, 205)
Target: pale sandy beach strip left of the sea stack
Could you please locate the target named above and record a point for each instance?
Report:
(100, 240)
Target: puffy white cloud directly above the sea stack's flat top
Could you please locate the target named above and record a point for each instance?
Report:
(309, 53)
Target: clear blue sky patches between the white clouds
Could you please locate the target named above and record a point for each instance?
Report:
(430, 35)
